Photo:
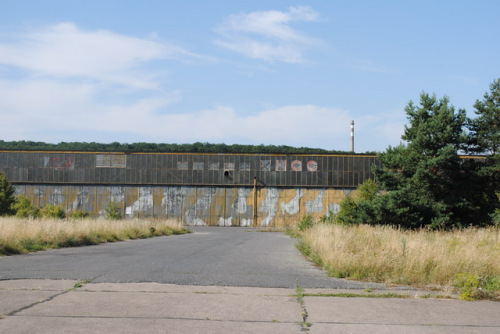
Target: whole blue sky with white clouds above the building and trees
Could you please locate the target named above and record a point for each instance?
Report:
(234, 72)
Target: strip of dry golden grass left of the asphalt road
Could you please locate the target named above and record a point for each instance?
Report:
(19, 235)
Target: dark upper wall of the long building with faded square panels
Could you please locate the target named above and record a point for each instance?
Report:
(322, 171)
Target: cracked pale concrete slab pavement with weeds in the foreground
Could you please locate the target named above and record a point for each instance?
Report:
(56, 306)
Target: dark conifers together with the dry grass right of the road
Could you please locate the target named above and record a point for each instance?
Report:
(429, 217)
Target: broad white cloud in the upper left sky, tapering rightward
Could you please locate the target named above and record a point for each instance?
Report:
(65, 51)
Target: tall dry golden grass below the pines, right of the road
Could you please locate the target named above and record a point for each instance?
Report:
(388, 255)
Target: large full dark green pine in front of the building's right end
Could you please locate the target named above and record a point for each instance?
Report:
(425, 180)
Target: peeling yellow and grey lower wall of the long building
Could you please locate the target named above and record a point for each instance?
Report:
(213, 206)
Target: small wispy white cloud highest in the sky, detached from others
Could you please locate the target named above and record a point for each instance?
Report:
(268, 35)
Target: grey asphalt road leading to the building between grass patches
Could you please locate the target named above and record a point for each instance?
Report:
(223, 256)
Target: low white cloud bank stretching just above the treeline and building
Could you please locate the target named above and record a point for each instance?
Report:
(54, 112)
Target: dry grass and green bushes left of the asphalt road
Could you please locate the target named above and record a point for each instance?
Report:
(25, 228)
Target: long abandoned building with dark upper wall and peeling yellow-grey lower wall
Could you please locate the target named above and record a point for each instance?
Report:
(199, 189)
